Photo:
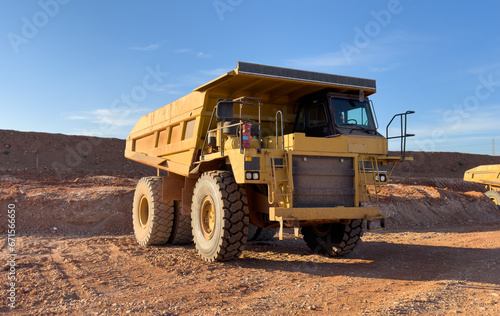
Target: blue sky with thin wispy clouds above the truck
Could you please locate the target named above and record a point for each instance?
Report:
(94, 67)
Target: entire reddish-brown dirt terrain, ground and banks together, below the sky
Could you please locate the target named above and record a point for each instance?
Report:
(76, 254)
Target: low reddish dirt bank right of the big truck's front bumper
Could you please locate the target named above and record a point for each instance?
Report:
(438, 203)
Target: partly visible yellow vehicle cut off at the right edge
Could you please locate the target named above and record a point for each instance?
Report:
(489, 175)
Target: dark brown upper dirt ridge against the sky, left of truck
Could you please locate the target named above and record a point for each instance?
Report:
(64, 156)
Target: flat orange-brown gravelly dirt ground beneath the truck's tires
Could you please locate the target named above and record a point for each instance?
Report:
(421, 272)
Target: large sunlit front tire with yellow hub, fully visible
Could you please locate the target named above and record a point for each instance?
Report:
(219, 216)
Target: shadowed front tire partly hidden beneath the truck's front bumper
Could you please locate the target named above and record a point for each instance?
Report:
(335, 239)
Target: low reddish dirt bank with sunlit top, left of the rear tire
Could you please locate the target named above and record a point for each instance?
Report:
(90, 206)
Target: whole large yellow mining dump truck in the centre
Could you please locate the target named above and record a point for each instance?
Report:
(264, 147)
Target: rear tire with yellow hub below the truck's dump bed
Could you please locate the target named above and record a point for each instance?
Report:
(152, 217)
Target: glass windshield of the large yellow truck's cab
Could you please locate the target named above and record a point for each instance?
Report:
(352, 113)
